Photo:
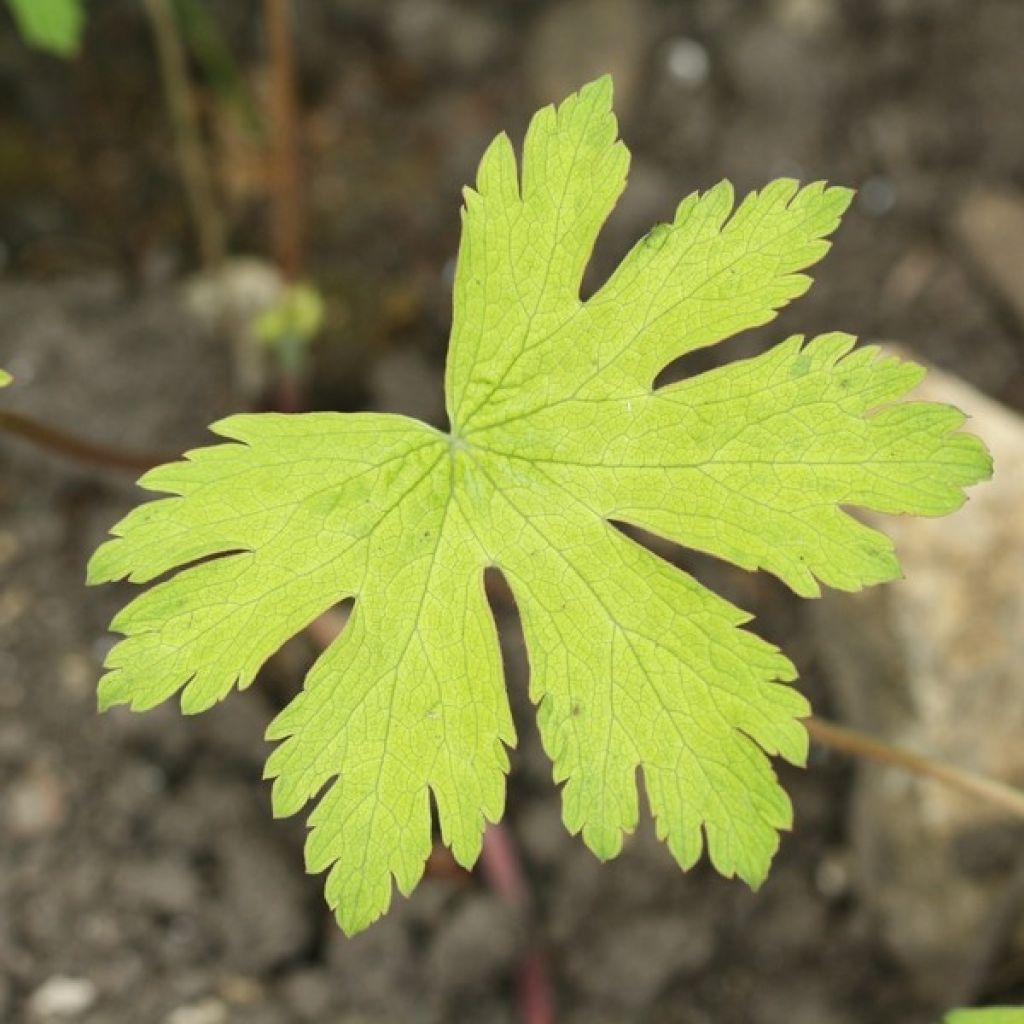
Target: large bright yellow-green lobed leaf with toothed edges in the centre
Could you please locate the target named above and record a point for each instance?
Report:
(558, 436)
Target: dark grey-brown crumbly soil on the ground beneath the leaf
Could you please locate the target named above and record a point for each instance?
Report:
(143, 878)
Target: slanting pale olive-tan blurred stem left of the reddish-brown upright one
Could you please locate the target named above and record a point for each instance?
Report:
(207, 221)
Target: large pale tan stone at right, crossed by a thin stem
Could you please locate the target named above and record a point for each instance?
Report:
(932, 663)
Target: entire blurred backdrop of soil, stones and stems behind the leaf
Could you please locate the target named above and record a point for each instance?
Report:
(209, 206)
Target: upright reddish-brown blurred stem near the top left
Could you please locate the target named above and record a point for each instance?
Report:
(286, 211)
